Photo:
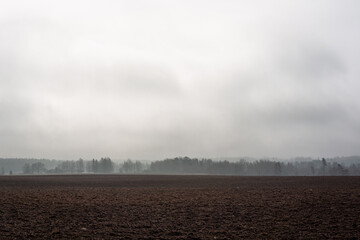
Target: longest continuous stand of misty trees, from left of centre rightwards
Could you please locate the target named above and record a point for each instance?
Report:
(186, 165)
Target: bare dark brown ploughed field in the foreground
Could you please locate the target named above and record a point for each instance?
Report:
(179, 207)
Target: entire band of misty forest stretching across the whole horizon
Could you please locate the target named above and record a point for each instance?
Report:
(343, 166)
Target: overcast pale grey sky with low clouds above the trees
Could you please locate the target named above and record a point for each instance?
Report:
(158, 79)
